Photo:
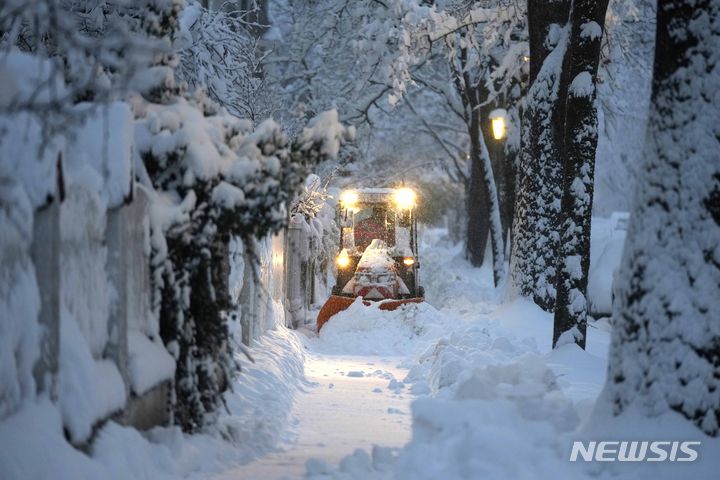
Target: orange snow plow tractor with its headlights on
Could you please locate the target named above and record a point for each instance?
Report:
(378, 257)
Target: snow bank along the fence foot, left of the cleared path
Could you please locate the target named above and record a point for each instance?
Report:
(259, 416)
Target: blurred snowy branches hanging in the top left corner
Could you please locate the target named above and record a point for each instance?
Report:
(97, 48)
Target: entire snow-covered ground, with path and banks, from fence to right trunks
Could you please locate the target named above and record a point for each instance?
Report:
(463, 386)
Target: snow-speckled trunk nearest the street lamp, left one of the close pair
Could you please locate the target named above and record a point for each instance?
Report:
(535, 226)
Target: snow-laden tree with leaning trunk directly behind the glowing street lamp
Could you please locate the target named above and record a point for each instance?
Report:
(471, 55)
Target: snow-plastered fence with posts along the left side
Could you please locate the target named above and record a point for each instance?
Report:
(75, 318)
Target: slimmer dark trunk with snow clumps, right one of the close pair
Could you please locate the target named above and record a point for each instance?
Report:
(578, 152)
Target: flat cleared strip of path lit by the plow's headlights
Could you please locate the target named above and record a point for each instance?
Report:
(348, 406)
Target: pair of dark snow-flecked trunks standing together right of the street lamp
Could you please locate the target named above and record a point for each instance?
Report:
(551, 250)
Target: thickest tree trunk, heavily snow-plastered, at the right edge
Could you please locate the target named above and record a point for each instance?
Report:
(665, 351)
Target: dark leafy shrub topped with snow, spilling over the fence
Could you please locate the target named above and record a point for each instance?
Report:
(214, 177)
